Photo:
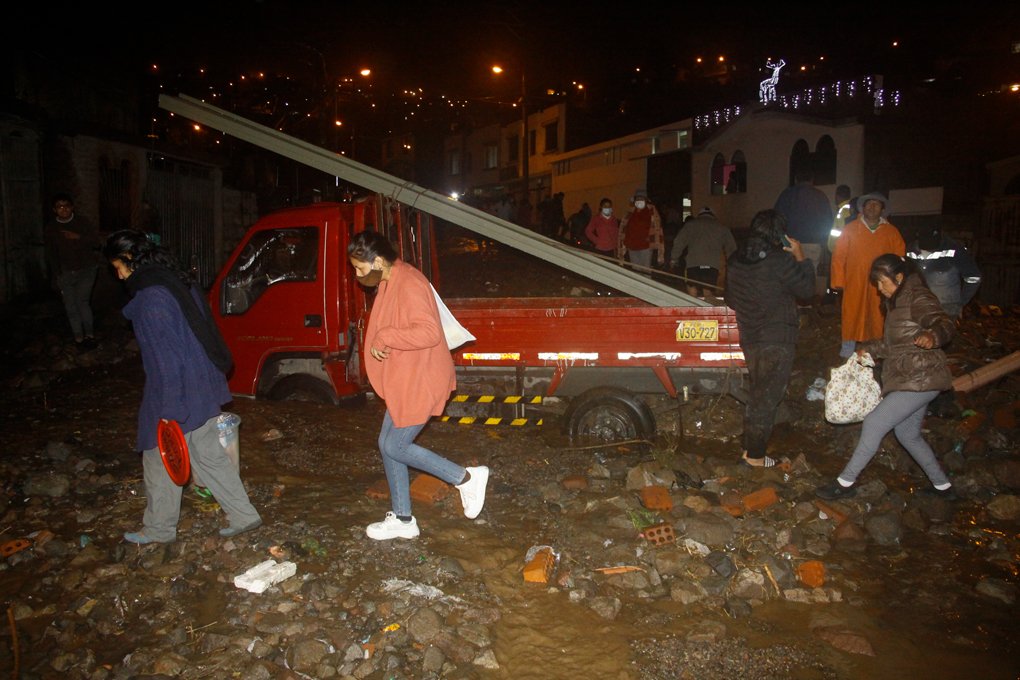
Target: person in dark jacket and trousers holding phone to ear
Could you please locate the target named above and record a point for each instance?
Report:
(764, 279)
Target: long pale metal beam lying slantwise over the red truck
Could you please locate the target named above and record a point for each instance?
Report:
(574, 259)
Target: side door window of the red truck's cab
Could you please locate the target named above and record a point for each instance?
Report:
(270, 258)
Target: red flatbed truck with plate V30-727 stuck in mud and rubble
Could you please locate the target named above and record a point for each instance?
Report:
(608, 369)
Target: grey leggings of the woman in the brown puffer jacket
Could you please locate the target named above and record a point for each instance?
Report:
(903, 412)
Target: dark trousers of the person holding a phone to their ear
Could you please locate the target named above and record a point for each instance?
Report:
(770, 368)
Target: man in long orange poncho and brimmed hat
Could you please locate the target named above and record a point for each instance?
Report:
(861, 242)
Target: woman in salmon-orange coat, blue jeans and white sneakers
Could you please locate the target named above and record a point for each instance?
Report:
(412, 370)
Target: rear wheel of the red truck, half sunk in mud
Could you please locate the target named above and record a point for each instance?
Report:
(607, 414)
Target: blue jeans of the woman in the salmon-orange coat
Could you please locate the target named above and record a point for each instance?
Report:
(400, 453)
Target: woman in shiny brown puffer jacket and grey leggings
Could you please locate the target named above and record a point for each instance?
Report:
(914, 373)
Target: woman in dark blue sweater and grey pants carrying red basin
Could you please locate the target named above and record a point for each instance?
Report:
(185, 360)
